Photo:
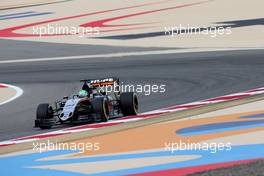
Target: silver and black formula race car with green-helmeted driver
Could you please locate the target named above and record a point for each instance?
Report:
(94, 103)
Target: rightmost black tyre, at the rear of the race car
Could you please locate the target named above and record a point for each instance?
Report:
(129, 103)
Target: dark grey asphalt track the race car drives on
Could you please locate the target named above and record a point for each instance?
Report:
(188, 77)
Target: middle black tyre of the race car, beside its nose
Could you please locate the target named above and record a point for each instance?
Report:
(100, 108)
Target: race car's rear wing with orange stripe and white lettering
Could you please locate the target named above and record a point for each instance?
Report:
(102, 82)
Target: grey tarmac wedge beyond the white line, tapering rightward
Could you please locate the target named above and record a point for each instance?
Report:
(11, 49)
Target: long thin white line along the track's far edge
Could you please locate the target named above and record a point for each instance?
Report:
(111, 55)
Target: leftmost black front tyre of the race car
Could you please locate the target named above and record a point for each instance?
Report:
(45, 118)
